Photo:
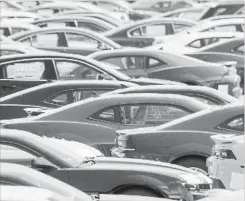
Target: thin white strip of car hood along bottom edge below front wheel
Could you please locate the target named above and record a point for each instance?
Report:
(108, 197)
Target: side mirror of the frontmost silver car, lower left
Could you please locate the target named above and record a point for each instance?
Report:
(42, 165)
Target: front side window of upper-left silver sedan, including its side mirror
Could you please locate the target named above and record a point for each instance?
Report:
(82, 44)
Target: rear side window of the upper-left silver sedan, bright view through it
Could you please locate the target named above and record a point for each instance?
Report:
(50, 41)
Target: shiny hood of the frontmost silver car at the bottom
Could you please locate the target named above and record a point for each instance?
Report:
(185, 174)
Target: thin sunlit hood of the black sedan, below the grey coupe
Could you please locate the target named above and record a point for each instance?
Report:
(147, 81)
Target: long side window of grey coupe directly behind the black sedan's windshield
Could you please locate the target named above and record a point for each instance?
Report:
(133, 66)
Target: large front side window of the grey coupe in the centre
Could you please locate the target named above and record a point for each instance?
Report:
(151, 114)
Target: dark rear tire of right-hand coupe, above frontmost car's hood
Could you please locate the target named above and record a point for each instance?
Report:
(194, 162)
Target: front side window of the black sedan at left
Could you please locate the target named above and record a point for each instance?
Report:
(69, 70)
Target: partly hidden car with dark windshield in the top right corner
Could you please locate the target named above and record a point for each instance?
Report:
(219, 9)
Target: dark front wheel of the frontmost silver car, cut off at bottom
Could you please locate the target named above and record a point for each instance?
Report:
(138, 191)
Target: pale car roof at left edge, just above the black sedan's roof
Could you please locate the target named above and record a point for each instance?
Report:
(16, 48)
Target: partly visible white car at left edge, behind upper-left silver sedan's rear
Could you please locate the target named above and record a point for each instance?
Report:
(11, 26)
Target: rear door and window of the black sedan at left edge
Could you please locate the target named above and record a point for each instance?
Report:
(26, 73)
